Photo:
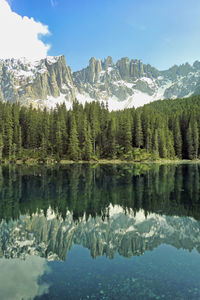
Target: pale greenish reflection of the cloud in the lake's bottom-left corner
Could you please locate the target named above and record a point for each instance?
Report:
(19, 279)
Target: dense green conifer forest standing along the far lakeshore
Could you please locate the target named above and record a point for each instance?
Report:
(163, 129)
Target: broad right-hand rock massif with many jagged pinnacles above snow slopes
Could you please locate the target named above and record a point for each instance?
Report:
(131, 83)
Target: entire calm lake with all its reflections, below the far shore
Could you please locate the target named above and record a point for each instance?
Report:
(100, 232)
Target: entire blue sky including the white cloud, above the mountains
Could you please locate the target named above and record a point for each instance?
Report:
(162, 33)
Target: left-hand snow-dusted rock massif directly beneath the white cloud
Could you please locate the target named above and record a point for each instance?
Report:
(28, 82)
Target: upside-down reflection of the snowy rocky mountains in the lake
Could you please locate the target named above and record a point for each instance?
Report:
(128, 234)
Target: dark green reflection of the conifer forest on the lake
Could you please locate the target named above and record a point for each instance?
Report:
(88, 191)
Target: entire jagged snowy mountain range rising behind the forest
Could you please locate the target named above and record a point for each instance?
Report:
(123, 84)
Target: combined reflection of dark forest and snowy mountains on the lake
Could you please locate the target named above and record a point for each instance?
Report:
(108, 209)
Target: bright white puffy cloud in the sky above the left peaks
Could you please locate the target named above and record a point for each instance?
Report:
(19, 35)
